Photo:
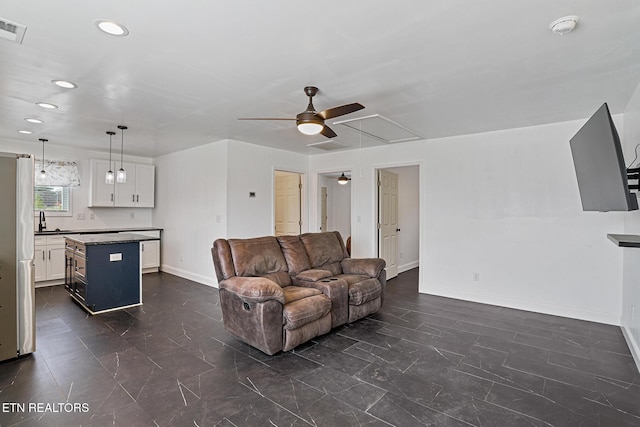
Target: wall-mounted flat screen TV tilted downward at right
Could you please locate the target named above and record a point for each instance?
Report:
(600, 168)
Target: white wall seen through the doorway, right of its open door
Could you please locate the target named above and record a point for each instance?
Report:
(408, 216)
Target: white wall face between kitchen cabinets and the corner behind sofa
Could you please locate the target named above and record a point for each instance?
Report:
(191, 207)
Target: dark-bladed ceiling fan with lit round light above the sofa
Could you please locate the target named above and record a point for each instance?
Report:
(310, 121)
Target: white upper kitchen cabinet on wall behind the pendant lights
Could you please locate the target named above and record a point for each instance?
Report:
(137, 192)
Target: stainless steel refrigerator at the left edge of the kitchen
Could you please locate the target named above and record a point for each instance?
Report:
(17, 286)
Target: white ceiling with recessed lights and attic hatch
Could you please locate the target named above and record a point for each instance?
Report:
(189, 69)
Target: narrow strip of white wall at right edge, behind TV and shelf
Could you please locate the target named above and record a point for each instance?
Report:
(630, 319)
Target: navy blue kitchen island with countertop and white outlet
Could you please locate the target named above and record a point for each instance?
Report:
(103, 271)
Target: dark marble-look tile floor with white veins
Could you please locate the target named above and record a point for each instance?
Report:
(422, 360)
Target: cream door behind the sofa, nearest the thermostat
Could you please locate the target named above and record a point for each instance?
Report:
(288, 215)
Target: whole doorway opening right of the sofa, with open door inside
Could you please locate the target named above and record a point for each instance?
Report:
(398, 218)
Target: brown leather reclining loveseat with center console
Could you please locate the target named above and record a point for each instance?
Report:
(277, 293)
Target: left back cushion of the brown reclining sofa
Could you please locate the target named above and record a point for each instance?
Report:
(260, 256)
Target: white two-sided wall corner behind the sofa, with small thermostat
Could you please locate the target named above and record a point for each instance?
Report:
(202, 194)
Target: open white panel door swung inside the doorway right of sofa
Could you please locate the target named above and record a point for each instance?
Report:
(388, 221)
